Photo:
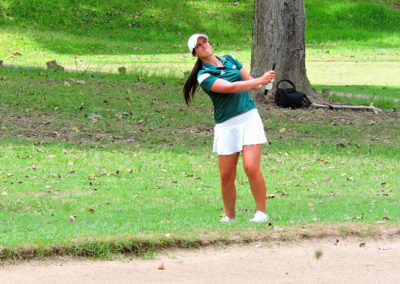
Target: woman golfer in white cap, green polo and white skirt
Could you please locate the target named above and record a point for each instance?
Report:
(238, 125)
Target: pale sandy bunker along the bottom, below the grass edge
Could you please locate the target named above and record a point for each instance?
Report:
(339, 261)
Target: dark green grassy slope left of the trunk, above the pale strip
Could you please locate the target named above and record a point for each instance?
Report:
(116, 27)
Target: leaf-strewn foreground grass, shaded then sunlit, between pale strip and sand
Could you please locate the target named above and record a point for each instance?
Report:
(120, 158)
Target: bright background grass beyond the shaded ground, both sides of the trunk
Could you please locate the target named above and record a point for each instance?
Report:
(348, 43)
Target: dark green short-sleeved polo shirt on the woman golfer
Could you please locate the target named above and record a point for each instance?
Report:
(226, 106)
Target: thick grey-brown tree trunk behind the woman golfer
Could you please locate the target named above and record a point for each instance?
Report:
(277, 21)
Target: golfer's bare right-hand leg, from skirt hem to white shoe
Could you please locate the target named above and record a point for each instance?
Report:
(251, 163)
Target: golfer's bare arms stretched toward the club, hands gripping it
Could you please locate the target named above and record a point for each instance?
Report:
(226, 87)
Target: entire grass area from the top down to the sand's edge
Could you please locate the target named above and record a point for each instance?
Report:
(134, 166)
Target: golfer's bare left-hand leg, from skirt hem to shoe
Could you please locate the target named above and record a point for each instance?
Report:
(227, 168)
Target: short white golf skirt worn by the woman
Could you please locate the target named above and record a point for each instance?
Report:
(245, 129)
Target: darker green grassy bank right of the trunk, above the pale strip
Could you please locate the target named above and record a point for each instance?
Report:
(357, 23)
